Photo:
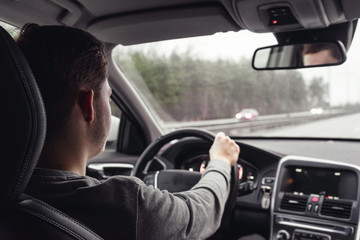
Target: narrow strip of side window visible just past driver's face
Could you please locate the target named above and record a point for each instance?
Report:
(114, 127)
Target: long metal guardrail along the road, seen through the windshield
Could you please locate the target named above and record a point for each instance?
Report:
(229, 126)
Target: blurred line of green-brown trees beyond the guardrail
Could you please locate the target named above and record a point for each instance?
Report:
(189, 88)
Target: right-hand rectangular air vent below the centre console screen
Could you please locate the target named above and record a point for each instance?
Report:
(336, 208)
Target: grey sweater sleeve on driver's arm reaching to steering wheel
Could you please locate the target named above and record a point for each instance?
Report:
(193, 214)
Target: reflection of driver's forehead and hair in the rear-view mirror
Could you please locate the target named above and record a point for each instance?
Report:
(320, 53)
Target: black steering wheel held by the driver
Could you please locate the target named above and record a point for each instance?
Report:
(176, 180)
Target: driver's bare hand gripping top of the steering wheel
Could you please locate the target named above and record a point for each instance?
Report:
(225, 149)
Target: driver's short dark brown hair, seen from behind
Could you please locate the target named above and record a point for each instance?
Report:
(63, 60)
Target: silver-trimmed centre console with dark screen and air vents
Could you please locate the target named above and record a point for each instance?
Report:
(315, 199)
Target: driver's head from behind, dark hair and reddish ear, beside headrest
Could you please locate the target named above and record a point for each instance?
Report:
(70, 67)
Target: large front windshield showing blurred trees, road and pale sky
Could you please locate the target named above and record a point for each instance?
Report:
(208, 82)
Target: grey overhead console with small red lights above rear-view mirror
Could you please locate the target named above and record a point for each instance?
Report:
(279, 16)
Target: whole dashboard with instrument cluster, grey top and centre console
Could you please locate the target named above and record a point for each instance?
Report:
(280, 195)
